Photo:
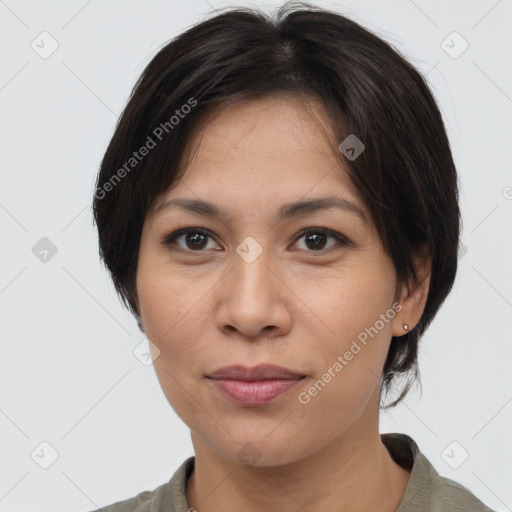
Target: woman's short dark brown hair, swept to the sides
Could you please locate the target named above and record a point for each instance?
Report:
(405, 175)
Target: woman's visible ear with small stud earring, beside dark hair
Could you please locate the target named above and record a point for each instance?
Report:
(413, 298)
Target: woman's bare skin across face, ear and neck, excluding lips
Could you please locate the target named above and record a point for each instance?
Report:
(295, 306)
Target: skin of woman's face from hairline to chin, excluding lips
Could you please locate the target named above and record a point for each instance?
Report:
(258, 290)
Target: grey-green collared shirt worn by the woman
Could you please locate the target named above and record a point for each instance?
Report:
(426, 491)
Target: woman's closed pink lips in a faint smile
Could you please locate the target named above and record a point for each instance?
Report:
(254, 386)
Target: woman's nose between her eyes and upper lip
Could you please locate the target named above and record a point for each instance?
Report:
(254, 298)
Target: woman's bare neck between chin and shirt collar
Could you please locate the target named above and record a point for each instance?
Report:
(352, 473)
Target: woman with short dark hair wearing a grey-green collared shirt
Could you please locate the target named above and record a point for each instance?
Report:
(278, 207)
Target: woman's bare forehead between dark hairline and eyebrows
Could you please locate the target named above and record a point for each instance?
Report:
(277, 149)
